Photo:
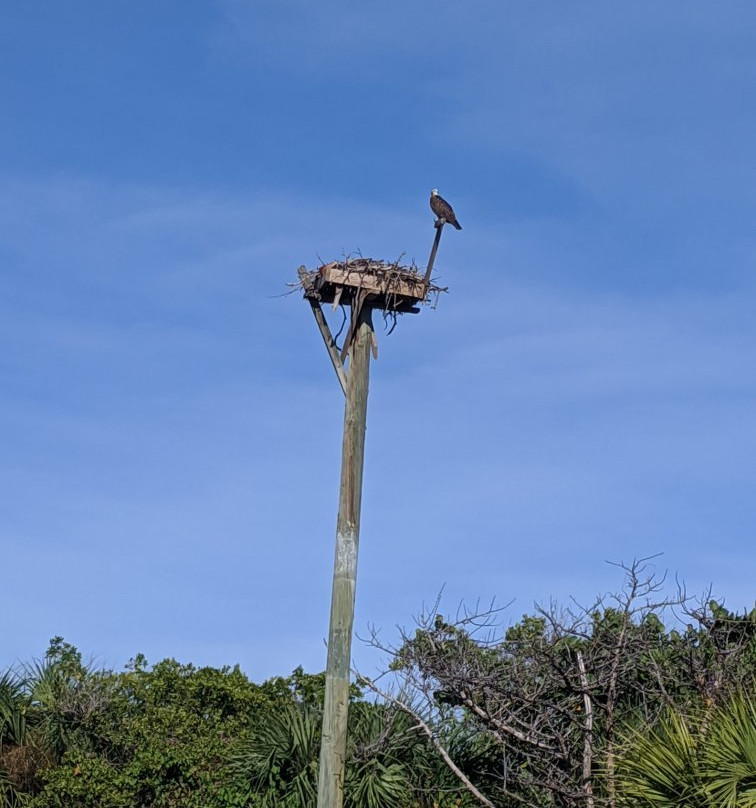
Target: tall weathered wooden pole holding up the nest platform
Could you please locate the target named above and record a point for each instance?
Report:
(333, 743)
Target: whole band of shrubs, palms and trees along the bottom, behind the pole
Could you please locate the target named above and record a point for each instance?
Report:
(582, 707)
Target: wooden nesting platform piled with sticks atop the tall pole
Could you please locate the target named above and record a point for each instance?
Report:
(365, 281)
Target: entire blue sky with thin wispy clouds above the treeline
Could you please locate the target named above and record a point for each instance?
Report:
(170, 426)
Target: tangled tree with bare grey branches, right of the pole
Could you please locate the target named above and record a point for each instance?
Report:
(553, 692)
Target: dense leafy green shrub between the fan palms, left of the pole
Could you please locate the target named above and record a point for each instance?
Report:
(161, 739)
